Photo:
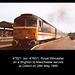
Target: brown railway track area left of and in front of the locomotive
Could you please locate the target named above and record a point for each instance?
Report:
(6, 44)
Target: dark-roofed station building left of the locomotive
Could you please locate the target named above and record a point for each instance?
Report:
(6, 28)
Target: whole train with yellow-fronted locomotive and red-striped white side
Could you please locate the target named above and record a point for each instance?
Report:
(30, 30)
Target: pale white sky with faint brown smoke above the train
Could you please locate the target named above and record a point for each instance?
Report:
(60, 15)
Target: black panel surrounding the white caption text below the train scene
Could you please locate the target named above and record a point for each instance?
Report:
(7, 55)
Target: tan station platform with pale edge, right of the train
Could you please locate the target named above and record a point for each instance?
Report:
(59, 44)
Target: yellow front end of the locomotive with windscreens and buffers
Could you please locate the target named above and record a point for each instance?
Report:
(25, 31)
